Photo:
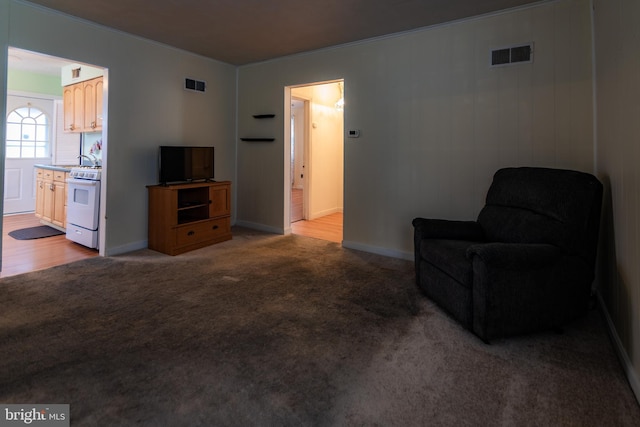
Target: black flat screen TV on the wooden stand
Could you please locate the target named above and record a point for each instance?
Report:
(178, 164)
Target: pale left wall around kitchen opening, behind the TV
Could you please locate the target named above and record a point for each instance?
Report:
(147, 105)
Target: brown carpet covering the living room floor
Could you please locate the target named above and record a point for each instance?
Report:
(285, 331)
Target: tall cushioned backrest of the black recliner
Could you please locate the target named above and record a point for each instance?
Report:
(541, 205)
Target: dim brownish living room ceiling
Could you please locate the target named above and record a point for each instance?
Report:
(246, 31)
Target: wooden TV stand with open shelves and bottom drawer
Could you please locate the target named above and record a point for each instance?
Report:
(185, 217)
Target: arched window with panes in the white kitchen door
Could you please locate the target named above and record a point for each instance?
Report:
(27, 133)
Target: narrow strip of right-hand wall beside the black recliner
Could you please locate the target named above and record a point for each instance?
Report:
(617, 43)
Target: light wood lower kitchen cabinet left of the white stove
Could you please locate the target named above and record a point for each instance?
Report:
(51, 197)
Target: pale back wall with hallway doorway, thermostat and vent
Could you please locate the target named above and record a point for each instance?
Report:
(436, 121)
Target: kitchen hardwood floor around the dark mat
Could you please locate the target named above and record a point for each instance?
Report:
(21, 256)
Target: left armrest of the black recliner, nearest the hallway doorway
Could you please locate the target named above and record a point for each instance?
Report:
(427, 228)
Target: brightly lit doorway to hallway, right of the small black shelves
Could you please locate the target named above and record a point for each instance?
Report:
(315, 172)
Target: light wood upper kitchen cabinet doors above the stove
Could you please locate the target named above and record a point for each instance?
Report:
(83, 106)
